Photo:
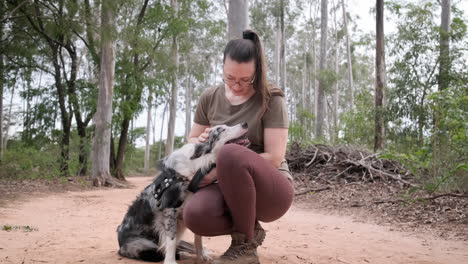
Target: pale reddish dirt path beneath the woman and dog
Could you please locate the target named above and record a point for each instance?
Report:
(79, 227)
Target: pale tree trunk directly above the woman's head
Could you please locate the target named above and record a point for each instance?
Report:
(238, 18)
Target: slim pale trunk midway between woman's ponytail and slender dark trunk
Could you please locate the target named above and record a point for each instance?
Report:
(323, 56)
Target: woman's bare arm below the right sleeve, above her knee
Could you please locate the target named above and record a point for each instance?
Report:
(275, 141)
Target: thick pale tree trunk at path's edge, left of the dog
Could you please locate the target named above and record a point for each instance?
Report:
(100, 173)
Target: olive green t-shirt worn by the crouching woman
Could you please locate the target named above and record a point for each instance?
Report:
(214, 109)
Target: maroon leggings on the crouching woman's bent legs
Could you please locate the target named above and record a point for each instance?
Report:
(249, 189)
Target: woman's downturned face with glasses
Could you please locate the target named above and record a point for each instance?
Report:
(239, 77)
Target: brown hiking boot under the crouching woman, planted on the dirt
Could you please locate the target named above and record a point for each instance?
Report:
(241, 251)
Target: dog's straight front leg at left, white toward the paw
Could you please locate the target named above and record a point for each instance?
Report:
(170, 229)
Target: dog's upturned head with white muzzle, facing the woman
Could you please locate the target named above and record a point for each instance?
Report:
(221, 135)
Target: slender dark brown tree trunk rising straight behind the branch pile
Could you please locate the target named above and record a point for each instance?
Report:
(380, 78)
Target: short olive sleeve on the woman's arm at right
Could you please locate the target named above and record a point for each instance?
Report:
(276, 115)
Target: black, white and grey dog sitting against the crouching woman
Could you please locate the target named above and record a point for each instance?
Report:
(150, 230)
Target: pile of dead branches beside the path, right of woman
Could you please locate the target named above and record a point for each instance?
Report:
(324, 164)
